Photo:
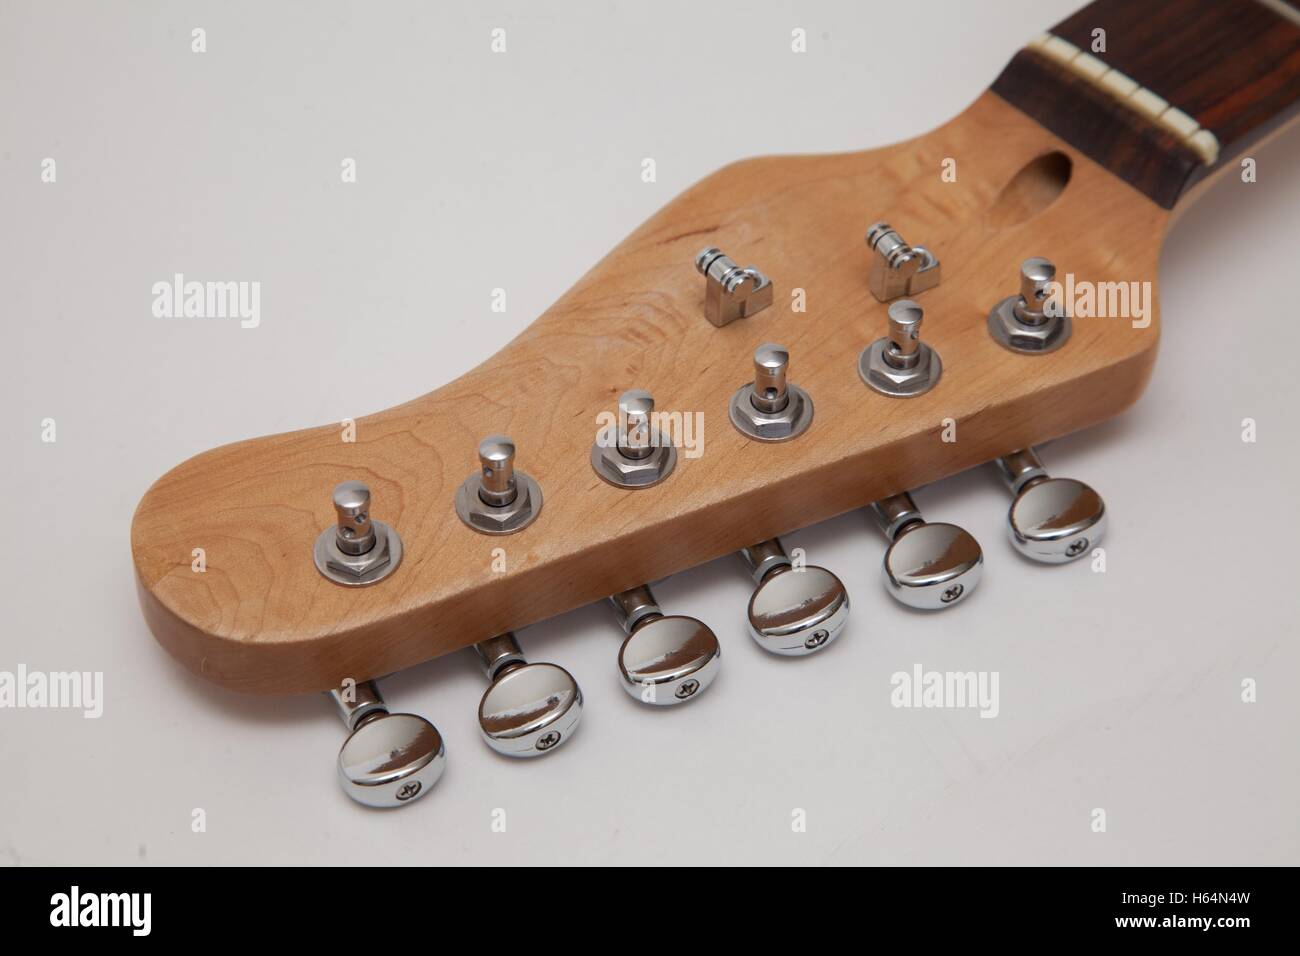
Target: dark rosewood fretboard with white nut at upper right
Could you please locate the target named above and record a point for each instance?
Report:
(1163, 94)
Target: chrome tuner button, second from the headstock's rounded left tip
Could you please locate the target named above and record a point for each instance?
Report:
(530, 710)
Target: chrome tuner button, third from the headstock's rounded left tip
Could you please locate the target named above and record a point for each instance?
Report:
(666, 660)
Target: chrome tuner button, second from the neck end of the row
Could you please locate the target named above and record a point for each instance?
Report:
(928, 565)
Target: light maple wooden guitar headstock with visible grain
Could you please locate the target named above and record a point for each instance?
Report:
(262, 620)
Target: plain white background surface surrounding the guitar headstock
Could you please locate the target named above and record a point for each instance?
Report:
(1119, 690)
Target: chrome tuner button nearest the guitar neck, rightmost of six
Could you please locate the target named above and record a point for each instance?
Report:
(1054, 521)
